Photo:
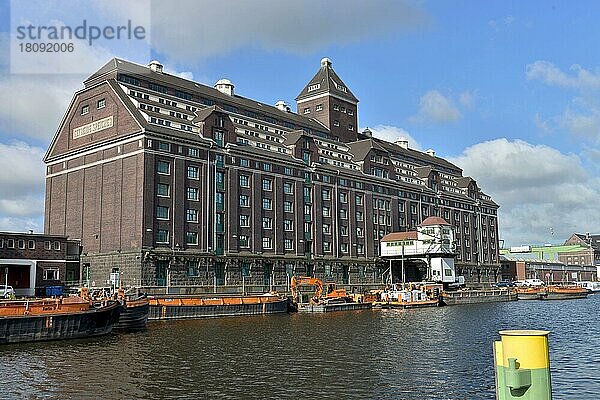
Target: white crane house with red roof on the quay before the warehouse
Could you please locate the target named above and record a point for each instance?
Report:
(425, 254)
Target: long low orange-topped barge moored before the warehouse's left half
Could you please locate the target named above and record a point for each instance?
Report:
(184, 307)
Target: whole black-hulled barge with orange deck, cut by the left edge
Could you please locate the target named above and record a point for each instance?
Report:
(53, 319)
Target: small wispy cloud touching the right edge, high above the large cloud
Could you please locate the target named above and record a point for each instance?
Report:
(551, 75)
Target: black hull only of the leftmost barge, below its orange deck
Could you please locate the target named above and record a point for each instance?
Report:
(33, 328)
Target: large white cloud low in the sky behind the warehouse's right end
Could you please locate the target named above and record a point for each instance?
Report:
(537, 187)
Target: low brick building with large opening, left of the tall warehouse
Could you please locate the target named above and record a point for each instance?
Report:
(33, 260)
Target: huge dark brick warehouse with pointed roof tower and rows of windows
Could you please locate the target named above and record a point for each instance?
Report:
(174, 183)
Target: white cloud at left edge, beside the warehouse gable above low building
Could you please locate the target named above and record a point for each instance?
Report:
(22, 177)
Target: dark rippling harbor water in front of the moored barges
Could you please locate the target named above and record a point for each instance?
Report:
(436, 353)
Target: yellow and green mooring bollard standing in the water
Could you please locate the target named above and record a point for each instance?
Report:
(522, 363)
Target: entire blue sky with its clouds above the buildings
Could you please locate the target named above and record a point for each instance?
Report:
(507, 90)
